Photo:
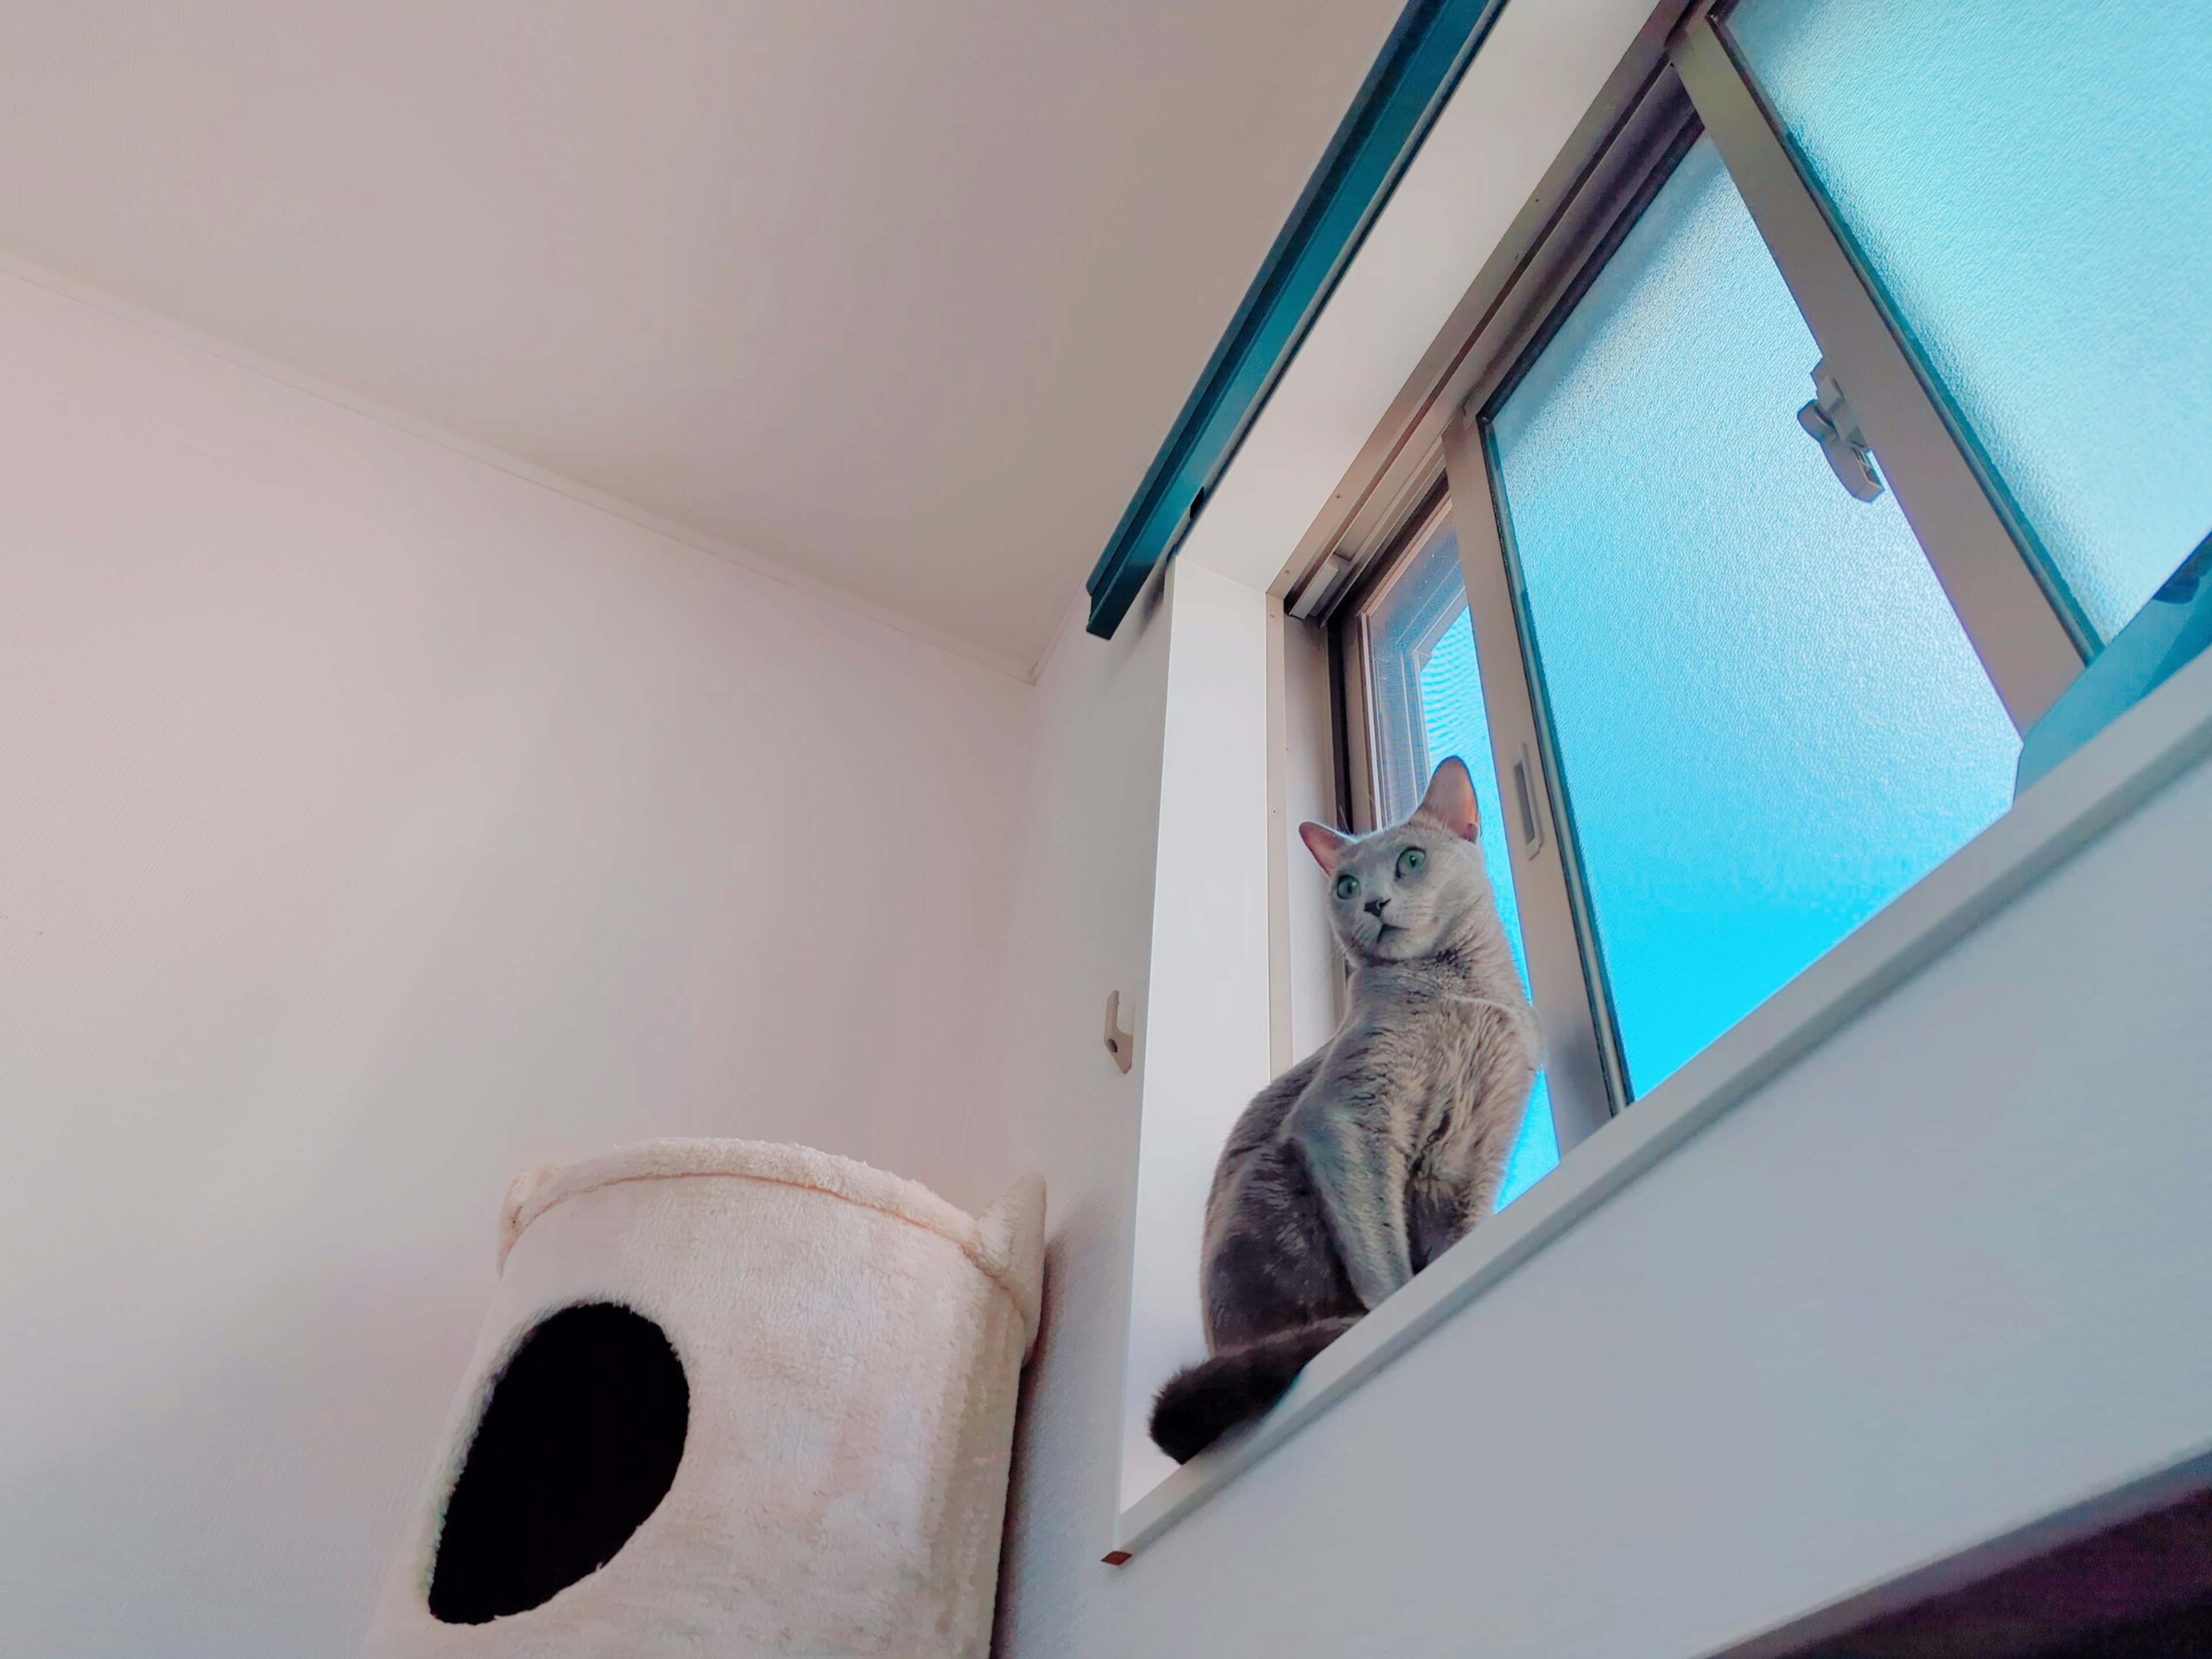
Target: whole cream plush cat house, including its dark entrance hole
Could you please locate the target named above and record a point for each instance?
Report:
(731, 1399)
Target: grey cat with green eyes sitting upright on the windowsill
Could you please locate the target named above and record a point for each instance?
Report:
(1368, 1160)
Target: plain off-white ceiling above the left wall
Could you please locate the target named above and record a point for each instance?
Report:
(897, 295)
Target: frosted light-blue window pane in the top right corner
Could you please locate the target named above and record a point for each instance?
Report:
(2032, 187)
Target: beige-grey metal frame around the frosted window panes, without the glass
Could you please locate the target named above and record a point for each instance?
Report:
(1682, 81)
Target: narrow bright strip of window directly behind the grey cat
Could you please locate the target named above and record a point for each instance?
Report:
(1430, 705)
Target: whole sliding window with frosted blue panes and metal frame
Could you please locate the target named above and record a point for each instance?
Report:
(1786, 488)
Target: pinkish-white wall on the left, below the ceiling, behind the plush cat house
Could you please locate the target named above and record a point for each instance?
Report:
(375, 824)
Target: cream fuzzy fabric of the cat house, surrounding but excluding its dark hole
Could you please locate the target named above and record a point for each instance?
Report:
(853, 1348)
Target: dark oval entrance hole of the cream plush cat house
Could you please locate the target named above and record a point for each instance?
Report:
(578, 1443)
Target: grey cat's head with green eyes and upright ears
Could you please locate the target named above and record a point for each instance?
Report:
(1408, 890)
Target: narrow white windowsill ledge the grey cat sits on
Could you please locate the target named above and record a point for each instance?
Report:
(2060, 815)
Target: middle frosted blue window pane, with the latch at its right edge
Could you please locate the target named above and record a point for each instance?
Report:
(1766, 713)
